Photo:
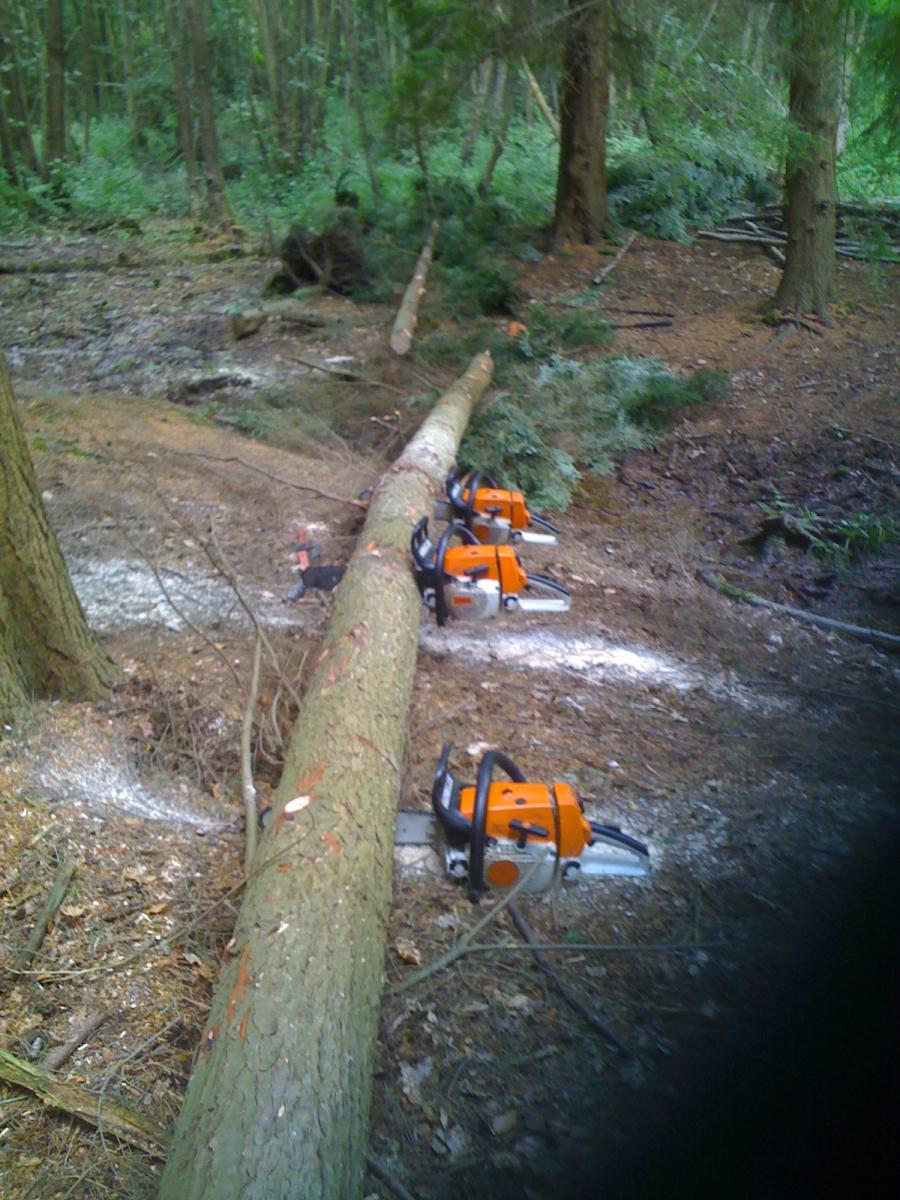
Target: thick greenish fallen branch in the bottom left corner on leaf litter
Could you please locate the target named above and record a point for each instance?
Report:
(79, 1102)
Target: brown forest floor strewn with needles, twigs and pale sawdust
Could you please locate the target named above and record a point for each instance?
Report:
(757, 755)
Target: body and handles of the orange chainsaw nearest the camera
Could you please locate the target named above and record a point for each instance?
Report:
(495, 833)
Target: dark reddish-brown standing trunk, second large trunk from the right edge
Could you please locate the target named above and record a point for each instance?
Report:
(580, 212)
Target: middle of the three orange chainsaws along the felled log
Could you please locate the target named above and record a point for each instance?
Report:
(475, 581)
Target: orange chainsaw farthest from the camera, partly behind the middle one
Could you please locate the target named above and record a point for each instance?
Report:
(494, 514)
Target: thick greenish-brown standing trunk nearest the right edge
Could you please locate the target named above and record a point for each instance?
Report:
(811, 278)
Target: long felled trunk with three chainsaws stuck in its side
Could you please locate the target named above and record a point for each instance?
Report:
(279, 1101)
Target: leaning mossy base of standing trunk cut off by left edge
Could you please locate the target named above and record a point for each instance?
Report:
(46, 647)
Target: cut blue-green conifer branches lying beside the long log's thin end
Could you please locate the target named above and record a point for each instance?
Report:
(566, 417)
